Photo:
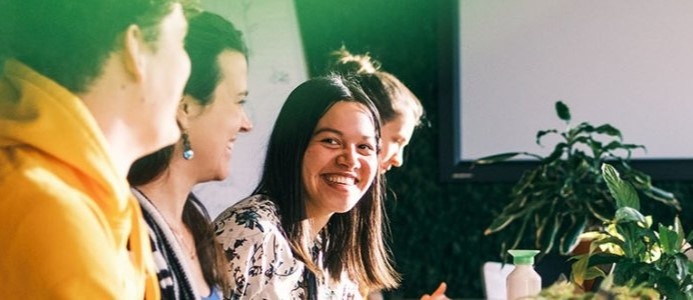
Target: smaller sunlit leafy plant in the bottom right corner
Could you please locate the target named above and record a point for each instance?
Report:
(637, 253)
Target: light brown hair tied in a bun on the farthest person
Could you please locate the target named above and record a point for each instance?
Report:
(388, 93)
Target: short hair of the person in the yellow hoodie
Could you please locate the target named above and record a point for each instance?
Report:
(69, 41)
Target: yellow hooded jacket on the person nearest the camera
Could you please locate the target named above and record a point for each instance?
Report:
(67, 217)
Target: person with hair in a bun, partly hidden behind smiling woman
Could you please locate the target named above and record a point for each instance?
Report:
(400, 111)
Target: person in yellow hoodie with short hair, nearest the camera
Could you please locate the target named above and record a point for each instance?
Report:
(89, 86)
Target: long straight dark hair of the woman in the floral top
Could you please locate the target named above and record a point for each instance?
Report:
(355, 238)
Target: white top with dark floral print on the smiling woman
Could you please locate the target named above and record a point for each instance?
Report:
(261, 263)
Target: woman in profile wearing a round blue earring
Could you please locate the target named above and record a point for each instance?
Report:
(210, 115)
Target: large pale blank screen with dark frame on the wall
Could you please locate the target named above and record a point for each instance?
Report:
(628, 63)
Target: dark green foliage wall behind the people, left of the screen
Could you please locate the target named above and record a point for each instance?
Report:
(437, 229)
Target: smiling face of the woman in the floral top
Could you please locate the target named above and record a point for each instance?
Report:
(340, 161)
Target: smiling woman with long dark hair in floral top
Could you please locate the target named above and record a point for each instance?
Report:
(313, 228)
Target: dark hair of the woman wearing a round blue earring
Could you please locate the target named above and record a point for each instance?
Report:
(208, 36)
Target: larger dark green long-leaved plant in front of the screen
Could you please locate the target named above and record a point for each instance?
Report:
(564, 193)
